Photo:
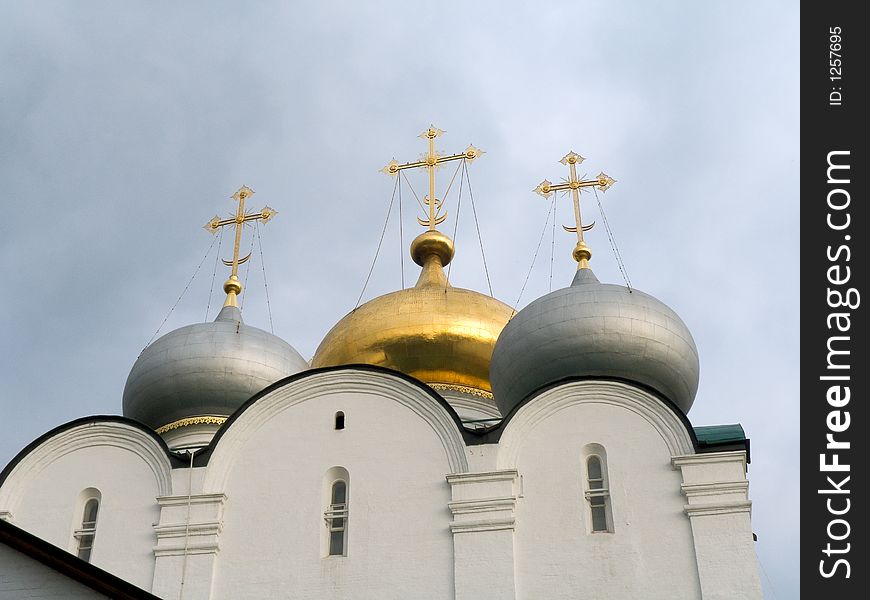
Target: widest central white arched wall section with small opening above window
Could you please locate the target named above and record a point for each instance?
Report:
(399, 543)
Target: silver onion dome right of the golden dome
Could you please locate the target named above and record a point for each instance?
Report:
(594, 329)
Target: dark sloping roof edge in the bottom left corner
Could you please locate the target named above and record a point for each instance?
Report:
(69, 565)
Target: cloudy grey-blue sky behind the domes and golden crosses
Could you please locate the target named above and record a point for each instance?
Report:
(126, 126)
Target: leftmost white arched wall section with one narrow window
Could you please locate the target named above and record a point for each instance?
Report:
(128, 468)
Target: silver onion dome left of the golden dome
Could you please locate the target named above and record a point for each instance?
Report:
(206, 369)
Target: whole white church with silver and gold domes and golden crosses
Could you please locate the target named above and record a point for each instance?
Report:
(439, 444)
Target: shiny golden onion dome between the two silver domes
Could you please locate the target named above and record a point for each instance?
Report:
(442, 335)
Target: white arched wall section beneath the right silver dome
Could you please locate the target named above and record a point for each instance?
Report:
(649, 553)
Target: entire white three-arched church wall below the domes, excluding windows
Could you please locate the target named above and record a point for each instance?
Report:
(429, 517)
